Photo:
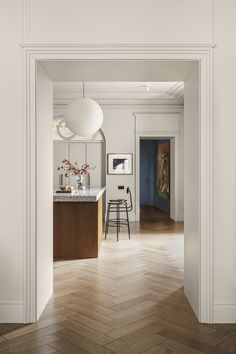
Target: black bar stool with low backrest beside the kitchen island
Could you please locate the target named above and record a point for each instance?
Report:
(118, 206)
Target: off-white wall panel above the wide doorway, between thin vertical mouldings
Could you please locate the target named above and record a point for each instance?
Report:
(120, 21)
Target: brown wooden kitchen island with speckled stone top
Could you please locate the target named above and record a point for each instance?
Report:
(77, 224)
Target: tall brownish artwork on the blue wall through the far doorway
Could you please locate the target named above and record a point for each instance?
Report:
(163, 170)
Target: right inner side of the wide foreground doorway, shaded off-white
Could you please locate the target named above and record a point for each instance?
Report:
(192, 191)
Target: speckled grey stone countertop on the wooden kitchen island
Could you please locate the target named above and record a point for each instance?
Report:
(88, 195)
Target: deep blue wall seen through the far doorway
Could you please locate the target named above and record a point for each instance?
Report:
(148, 175)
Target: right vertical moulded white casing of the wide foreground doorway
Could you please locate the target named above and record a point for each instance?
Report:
(206, 188)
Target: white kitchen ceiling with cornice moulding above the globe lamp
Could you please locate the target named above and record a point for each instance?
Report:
(121, 92)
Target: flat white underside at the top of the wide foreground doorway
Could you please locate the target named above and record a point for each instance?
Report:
(117, 70)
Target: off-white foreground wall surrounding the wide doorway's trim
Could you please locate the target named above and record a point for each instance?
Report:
(143, 22)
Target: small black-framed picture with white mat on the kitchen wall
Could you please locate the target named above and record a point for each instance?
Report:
(120, 164)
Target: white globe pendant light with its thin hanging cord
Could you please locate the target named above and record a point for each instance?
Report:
(84, 116)
